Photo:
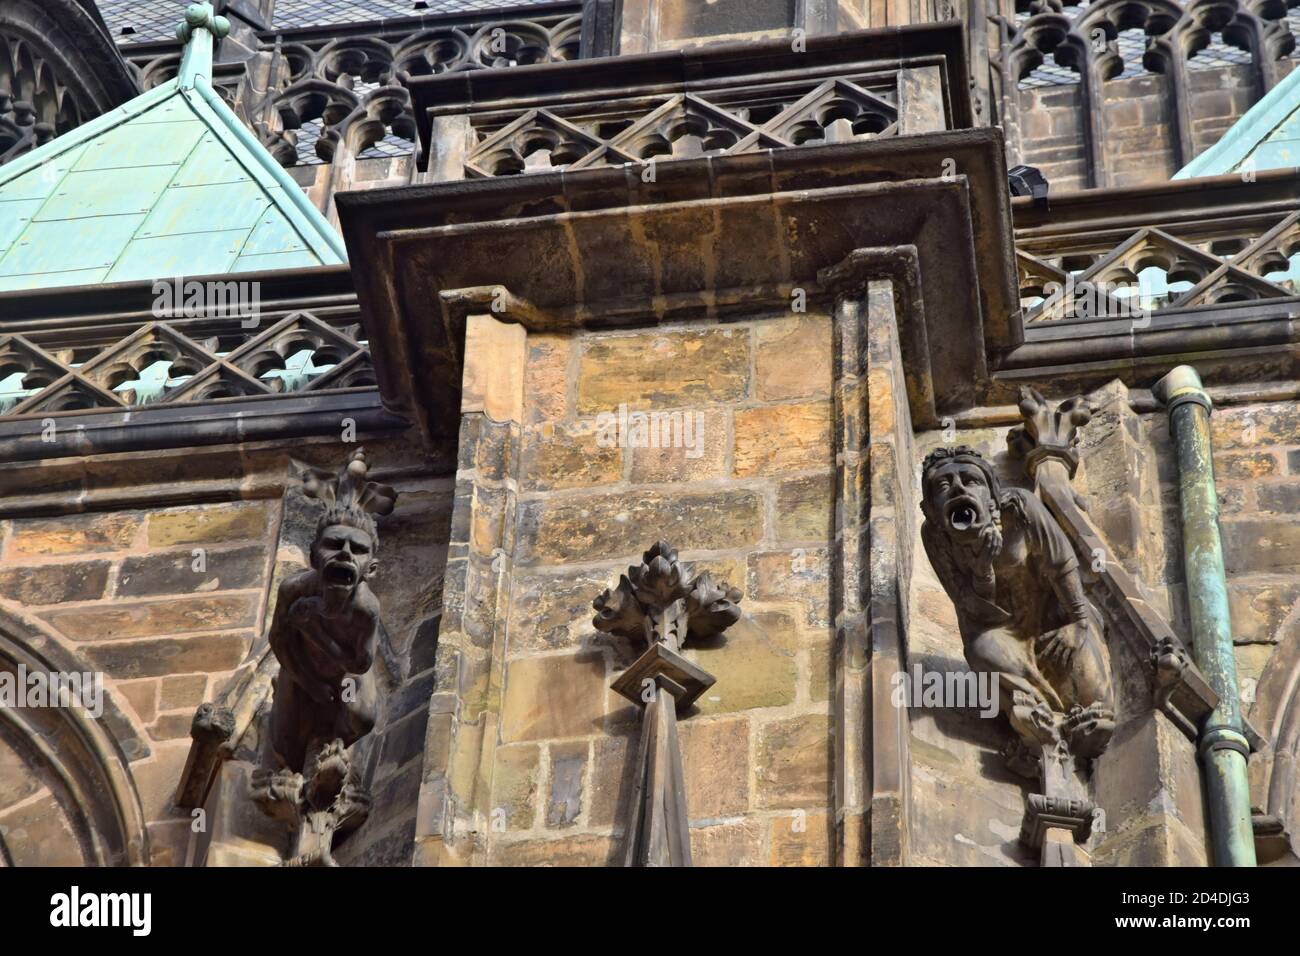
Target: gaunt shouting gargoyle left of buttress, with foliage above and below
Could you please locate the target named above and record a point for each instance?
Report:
(324, 634)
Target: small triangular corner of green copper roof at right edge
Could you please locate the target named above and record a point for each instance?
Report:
(1268, 137)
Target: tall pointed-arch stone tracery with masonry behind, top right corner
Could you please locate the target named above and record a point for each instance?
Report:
(1089, 86)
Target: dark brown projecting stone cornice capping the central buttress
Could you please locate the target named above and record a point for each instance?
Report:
(547, 240)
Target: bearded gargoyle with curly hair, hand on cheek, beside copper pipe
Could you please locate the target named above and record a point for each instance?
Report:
(1015, 579)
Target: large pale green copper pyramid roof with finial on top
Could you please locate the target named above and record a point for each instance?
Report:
(171, 184)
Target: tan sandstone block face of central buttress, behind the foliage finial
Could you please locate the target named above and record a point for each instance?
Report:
(752, 500)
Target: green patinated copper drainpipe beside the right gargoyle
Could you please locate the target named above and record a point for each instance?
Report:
(1223, 746)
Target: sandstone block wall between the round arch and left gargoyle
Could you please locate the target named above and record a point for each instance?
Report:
(123, 591)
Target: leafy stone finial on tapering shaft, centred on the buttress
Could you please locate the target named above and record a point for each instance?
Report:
(661, 604)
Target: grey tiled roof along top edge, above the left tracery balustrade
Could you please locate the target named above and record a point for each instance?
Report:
(155, 20)
